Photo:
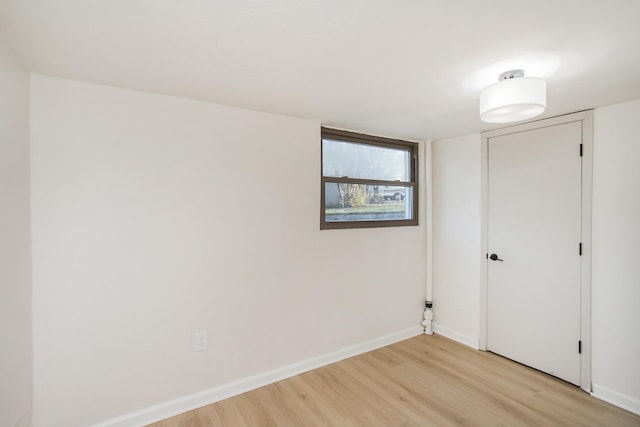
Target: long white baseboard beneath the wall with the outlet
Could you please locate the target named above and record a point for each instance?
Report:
(206, 397)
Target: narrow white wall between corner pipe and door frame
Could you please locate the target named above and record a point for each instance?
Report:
(456, 237)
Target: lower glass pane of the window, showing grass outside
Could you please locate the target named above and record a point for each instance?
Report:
(360, 202)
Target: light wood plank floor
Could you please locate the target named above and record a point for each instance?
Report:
(423, 381)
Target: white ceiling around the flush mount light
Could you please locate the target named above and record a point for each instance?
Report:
(402, 68)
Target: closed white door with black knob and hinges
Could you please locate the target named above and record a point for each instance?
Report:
(534, 230)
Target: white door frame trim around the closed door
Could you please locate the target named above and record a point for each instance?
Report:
(586, 119)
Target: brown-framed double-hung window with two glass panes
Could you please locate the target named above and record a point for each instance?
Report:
(367, 181)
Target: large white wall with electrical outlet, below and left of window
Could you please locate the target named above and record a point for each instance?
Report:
(155, 217)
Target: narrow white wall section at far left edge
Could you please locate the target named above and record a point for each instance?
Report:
(15, 245)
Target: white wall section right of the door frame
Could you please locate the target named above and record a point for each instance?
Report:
(616, 254)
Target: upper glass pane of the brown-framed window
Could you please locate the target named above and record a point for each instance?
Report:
(340, 159)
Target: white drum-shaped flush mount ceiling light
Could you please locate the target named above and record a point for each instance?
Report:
(514, 98)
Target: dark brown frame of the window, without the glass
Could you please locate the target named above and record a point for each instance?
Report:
(376, 141)
